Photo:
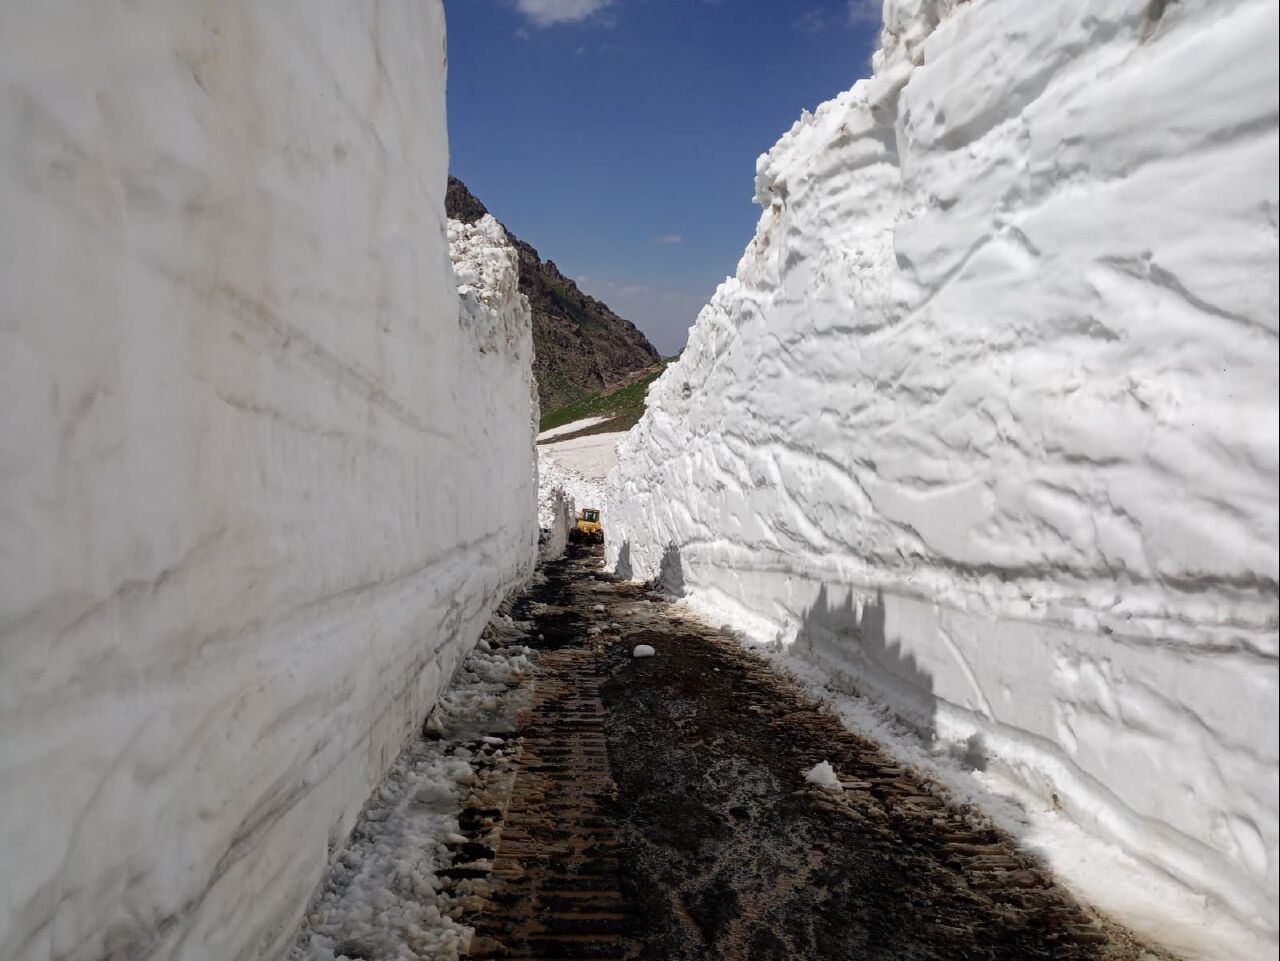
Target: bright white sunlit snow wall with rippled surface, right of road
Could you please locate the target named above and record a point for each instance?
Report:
(986, 423)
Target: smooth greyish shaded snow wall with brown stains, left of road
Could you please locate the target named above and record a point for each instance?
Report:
(263, 482)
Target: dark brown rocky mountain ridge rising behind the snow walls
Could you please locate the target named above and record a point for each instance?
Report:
(580, 346)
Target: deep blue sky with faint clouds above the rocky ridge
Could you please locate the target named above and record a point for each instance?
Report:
(620, 136)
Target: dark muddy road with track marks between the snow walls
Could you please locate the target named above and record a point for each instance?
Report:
(660, 813)
